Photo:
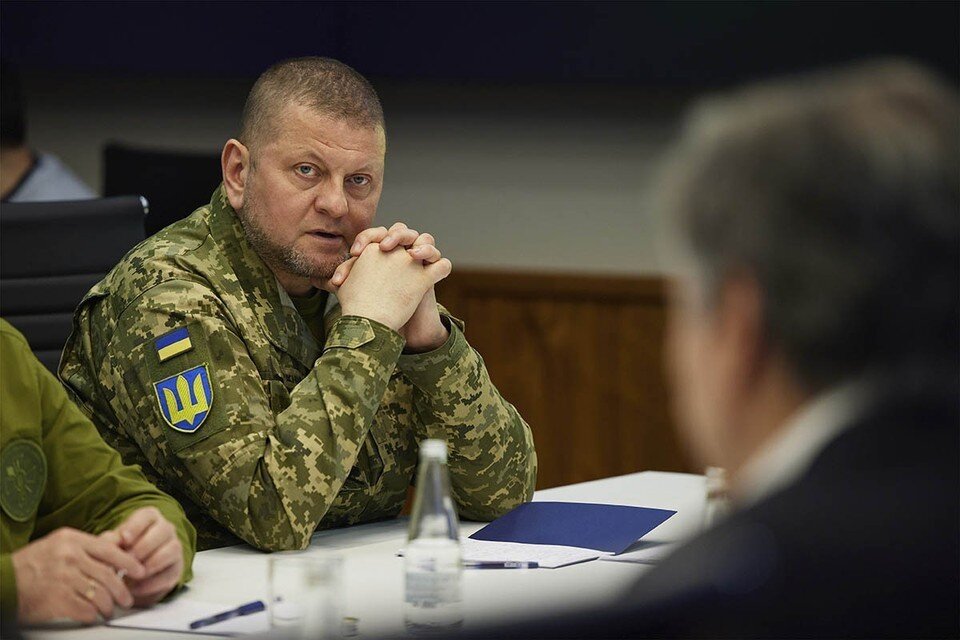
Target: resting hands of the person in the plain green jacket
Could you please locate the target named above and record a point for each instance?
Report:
(70, 574)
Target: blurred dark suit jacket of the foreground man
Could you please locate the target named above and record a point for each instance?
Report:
(864, 544)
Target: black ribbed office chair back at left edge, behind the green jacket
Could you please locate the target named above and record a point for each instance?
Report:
(51, 253)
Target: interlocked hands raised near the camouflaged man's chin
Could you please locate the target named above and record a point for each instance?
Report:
(390, 278)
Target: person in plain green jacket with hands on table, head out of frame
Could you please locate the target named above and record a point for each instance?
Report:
(80, 532)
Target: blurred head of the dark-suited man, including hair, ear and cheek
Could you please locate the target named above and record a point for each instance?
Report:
(819, 223)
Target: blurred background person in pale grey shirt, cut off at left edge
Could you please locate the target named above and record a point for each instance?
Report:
(27, 175)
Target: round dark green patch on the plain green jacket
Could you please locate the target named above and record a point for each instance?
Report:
(23, 476)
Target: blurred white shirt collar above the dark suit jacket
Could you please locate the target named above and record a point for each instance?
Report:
(792, 450)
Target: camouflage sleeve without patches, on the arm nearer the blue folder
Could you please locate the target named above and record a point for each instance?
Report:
(492, 461)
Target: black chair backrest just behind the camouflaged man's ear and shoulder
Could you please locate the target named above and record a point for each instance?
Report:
(174, 182)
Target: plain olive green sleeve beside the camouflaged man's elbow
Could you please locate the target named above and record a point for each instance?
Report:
(88, 486)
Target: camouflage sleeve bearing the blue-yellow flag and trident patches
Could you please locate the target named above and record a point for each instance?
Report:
(265, 465)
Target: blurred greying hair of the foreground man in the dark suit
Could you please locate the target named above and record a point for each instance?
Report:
(840, 194)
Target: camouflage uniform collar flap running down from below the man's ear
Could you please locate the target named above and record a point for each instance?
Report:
(282, 324)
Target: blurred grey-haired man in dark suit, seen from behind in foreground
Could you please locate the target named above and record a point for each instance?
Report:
(813, 352)
